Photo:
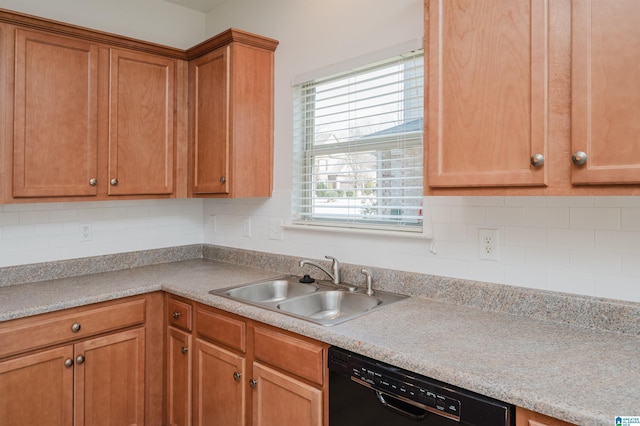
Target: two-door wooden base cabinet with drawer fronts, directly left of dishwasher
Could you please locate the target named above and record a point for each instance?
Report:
(247, 373)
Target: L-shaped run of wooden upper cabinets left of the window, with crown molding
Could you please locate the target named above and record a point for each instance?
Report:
(92, 116)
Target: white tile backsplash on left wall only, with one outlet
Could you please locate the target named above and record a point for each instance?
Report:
(31, 233)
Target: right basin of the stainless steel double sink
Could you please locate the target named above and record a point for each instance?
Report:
(329, 305)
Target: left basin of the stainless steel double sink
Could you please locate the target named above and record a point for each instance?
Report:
(271, 291)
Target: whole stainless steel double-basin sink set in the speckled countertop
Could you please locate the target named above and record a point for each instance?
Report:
(320, 302)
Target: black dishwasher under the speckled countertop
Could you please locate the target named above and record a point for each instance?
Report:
(366, 392)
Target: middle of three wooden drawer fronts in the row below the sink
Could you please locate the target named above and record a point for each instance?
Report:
(222, 329)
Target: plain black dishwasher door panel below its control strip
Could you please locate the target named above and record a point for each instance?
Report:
(352, 404)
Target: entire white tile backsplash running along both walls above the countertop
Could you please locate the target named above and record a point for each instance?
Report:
(583, 245)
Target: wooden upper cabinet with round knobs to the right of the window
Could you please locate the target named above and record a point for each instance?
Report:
(516, 88)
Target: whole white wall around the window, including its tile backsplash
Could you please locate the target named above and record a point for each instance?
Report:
(584, 245)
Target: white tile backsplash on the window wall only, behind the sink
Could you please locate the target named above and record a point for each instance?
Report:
(567, 244)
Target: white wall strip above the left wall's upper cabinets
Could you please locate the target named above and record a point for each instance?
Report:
(150, 20)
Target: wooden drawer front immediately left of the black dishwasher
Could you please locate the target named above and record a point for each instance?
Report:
(293, 355)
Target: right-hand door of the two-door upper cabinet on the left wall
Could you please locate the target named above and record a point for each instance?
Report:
(141, 123)
